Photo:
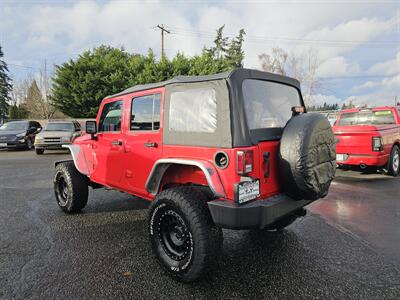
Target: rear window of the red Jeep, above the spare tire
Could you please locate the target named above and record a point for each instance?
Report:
(268, 104)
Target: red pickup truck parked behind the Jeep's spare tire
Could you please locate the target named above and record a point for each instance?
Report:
(369, 138)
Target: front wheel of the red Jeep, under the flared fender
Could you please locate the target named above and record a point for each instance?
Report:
(70, 188)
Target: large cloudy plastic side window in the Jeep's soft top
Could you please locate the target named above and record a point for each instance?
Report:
(193, 111)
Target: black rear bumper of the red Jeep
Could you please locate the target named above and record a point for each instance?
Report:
(257, 214)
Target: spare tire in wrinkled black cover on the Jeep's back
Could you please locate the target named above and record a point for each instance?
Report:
(307, 157)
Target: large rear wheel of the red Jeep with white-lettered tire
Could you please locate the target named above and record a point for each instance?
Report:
(183, 236)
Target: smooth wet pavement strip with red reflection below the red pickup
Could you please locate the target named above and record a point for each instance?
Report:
(366, 205)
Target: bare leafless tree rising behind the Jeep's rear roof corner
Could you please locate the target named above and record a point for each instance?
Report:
(303, 67)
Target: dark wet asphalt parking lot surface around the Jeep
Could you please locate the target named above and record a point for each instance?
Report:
(347, 247)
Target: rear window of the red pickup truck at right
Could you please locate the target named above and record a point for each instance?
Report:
(368, 117)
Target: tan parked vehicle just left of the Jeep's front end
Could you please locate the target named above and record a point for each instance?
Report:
(56, 134)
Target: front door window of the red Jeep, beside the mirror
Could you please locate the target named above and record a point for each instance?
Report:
(110, 119)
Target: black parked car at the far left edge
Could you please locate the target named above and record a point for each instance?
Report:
(19, 134)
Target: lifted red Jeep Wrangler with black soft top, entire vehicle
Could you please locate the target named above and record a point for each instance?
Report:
(232, 150)
